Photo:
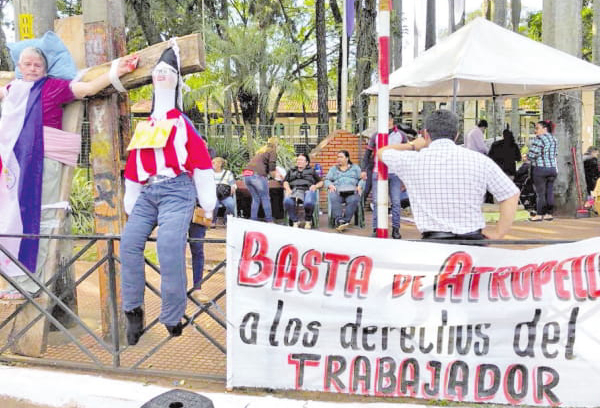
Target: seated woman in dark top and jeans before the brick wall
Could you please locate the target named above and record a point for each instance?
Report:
(301, 184)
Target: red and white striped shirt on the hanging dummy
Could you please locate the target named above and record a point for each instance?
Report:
(184, 151)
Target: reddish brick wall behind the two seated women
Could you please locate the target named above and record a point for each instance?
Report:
(326, 152)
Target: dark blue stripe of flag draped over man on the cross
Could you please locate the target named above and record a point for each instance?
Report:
(29, 151)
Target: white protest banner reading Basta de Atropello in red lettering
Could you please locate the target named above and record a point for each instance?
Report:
(337, 313)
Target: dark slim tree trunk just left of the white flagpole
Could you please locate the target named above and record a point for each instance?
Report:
(322, 85)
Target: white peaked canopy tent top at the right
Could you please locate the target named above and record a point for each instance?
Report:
(483, 60)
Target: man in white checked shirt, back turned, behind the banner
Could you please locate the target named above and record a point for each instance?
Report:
(447, 183)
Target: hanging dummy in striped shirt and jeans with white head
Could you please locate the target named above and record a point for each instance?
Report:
(167, 169)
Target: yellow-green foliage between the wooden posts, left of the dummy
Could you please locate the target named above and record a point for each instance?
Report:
(82, 203)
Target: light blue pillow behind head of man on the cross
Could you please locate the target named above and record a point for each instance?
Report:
(60, 62)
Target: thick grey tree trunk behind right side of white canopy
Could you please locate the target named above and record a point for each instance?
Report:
(563, 30)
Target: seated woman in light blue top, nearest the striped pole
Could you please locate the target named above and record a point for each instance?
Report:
(344, 185)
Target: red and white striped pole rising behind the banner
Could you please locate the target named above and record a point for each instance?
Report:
(383, 106)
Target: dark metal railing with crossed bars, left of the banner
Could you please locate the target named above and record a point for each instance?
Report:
(83, 343)
